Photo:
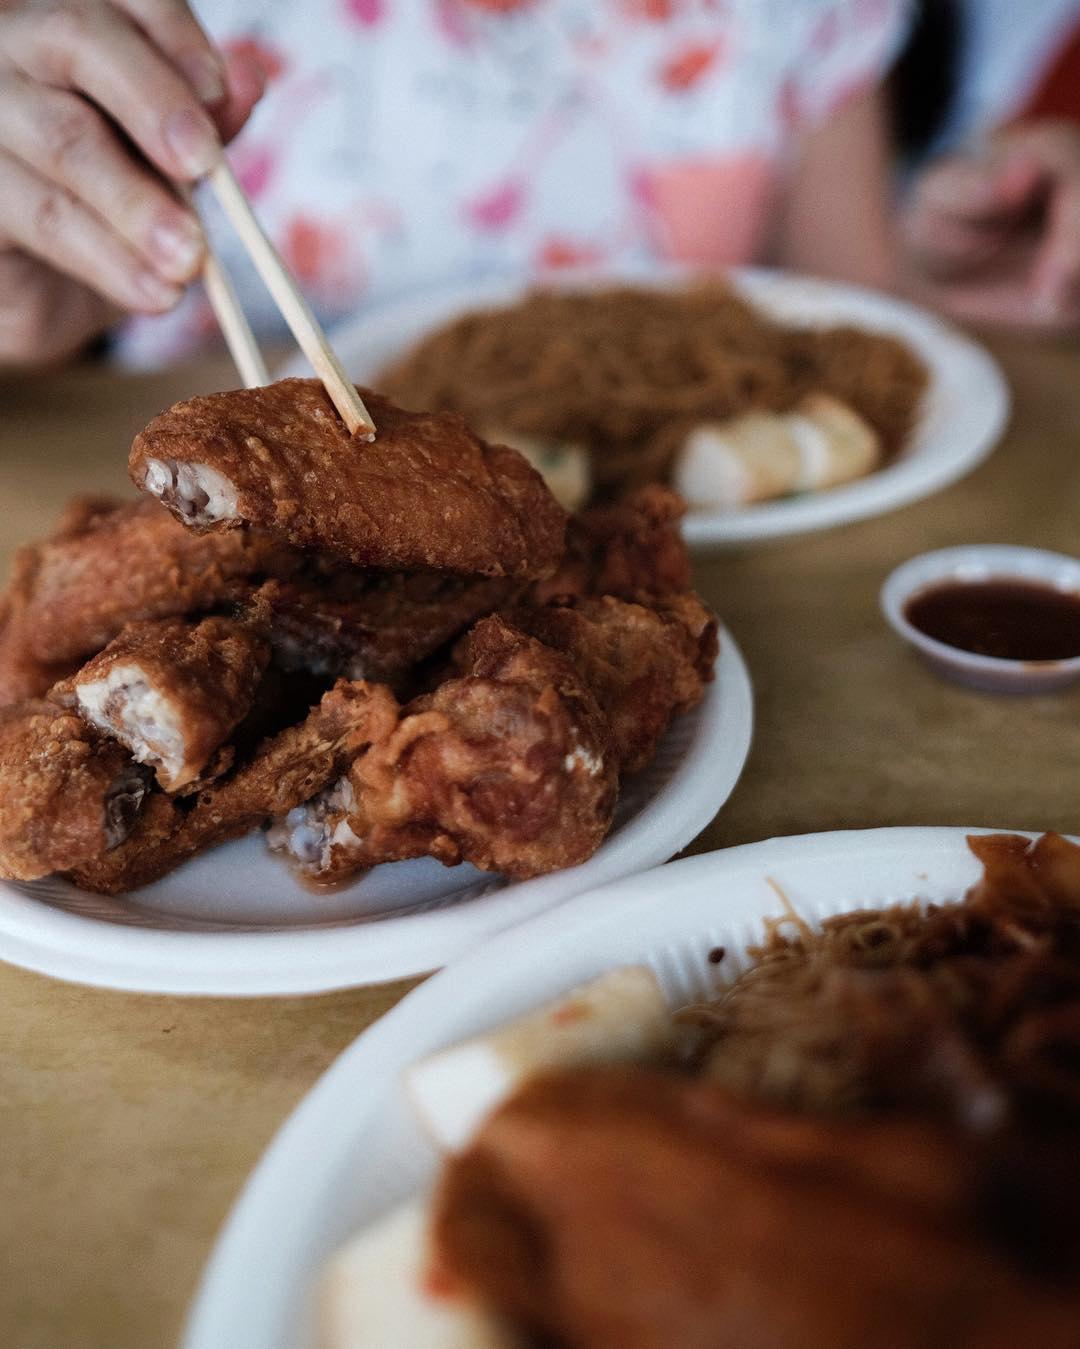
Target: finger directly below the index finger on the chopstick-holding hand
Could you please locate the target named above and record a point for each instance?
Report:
(68, 142)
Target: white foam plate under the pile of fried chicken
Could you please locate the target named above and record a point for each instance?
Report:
(235, 922)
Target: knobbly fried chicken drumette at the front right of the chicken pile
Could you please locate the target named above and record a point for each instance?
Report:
(506, 767)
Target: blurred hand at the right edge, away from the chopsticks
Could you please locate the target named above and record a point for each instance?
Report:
(996, 237)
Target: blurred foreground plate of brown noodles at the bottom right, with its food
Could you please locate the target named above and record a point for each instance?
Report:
(800, 965)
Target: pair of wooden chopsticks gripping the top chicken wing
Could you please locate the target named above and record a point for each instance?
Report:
(295, 308)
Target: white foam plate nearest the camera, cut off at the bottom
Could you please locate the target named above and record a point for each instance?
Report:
(353, 1149)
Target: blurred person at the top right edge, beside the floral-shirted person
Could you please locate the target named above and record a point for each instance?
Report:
(993, 219)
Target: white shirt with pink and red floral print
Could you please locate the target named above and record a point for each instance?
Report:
(409, 144)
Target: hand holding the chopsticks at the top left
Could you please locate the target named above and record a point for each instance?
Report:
(100, 106)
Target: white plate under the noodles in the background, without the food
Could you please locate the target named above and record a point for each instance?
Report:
(965, 411)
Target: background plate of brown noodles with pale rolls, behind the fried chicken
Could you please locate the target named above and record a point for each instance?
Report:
(776, 404)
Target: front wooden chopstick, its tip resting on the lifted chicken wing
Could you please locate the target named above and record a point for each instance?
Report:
(295, 308)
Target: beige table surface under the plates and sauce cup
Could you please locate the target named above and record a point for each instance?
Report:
(129, 1123)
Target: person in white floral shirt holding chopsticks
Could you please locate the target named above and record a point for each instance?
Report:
(407, 145)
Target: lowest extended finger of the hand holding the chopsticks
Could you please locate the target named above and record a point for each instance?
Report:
(47, 222)
